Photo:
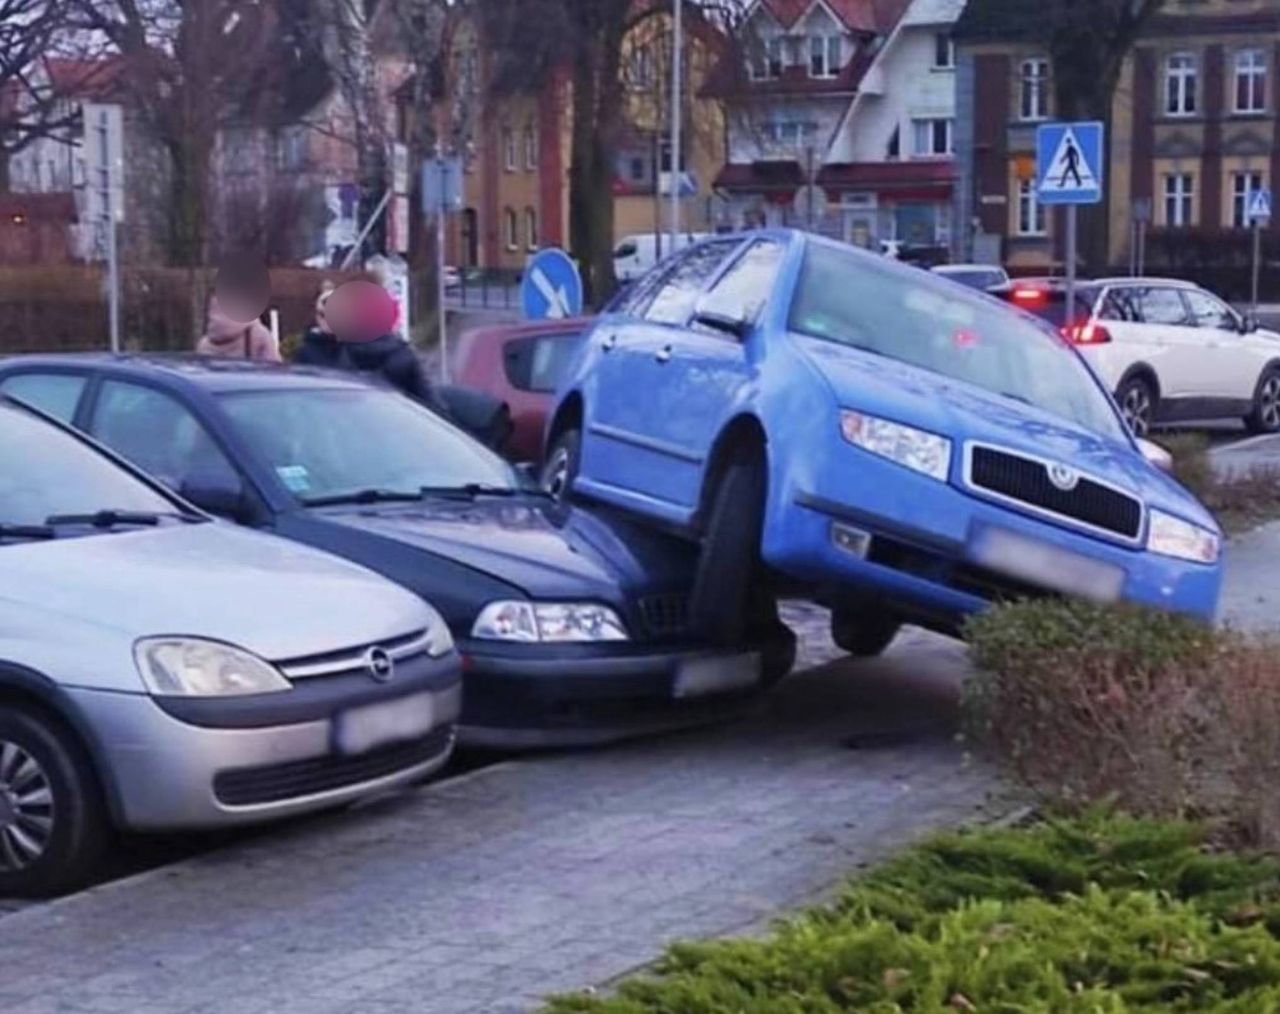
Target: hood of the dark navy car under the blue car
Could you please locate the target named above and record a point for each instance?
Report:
(542, 549)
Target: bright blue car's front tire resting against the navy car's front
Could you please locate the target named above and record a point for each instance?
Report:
(729, 561)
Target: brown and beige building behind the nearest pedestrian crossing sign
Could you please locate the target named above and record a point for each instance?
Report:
(1194, 127)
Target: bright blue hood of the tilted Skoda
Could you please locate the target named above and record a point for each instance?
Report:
(962, 412)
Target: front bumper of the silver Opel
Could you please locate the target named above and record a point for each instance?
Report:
(168, 774)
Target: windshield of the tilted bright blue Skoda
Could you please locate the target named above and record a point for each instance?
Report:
(917, 318)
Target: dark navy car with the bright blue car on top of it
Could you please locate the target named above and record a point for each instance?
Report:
(573, 625)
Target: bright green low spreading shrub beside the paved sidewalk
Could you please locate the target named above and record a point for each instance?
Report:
(1098, 913)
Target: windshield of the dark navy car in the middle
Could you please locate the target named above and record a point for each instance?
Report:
(332, 442)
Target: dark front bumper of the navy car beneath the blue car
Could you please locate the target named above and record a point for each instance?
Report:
(577, 696)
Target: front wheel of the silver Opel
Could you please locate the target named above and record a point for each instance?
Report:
(53, 821)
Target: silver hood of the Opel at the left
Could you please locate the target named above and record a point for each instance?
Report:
(213, 581)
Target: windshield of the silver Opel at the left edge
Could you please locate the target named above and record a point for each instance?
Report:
(47, 473)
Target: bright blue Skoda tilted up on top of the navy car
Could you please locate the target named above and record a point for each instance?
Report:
(872, 437)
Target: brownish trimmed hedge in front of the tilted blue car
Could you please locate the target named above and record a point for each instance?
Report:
(1155, 711)
